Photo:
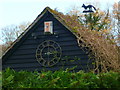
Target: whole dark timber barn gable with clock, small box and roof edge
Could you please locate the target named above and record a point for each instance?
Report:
(47, 44)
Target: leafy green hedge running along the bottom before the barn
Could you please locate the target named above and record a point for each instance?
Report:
(59, 79)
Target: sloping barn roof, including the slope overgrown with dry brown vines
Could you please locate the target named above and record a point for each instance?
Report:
(102, 48)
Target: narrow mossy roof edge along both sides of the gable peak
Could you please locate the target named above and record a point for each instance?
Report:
(53, 12)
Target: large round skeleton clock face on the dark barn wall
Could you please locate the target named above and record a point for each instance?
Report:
(48, 53)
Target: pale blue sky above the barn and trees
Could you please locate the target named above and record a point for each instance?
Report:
(14, 12)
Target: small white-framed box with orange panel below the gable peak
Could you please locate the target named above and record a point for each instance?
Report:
(48, 27)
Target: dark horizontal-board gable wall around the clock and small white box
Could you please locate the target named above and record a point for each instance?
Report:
(23, 57)
